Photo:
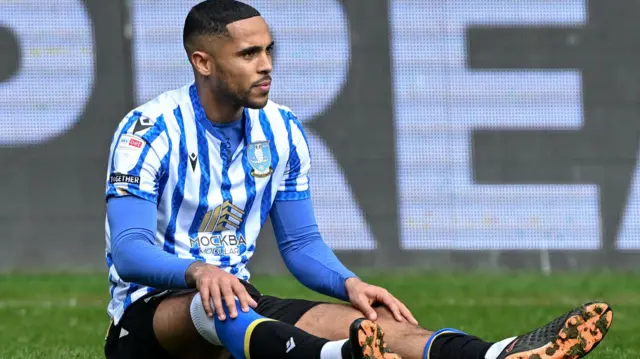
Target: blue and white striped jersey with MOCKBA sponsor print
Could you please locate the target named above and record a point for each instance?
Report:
(211, 203)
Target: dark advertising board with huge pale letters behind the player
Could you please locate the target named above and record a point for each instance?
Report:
(457, 134)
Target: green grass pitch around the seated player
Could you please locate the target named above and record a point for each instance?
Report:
(56, 316)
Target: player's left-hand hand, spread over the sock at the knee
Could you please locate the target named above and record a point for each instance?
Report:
(216, 285)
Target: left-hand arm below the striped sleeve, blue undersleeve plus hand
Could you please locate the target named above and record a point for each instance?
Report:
(132, 221)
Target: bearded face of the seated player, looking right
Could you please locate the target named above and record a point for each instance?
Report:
(243, 62)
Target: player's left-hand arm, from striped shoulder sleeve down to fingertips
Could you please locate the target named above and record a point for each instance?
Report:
(139, 162)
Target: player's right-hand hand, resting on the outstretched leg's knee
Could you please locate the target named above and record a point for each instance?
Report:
(363, 295)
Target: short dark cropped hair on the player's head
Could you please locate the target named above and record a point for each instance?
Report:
(211, 17)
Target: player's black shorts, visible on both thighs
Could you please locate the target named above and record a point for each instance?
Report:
(137, 322)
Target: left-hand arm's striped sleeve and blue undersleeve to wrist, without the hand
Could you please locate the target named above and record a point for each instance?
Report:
(132, 194)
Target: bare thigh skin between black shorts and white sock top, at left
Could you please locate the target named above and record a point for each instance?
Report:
(175, 332)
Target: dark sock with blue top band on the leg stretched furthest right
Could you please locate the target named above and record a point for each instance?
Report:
(454, 344)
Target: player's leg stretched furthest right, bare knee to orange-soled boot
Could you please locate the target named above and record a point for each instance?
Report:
(571, 335)
